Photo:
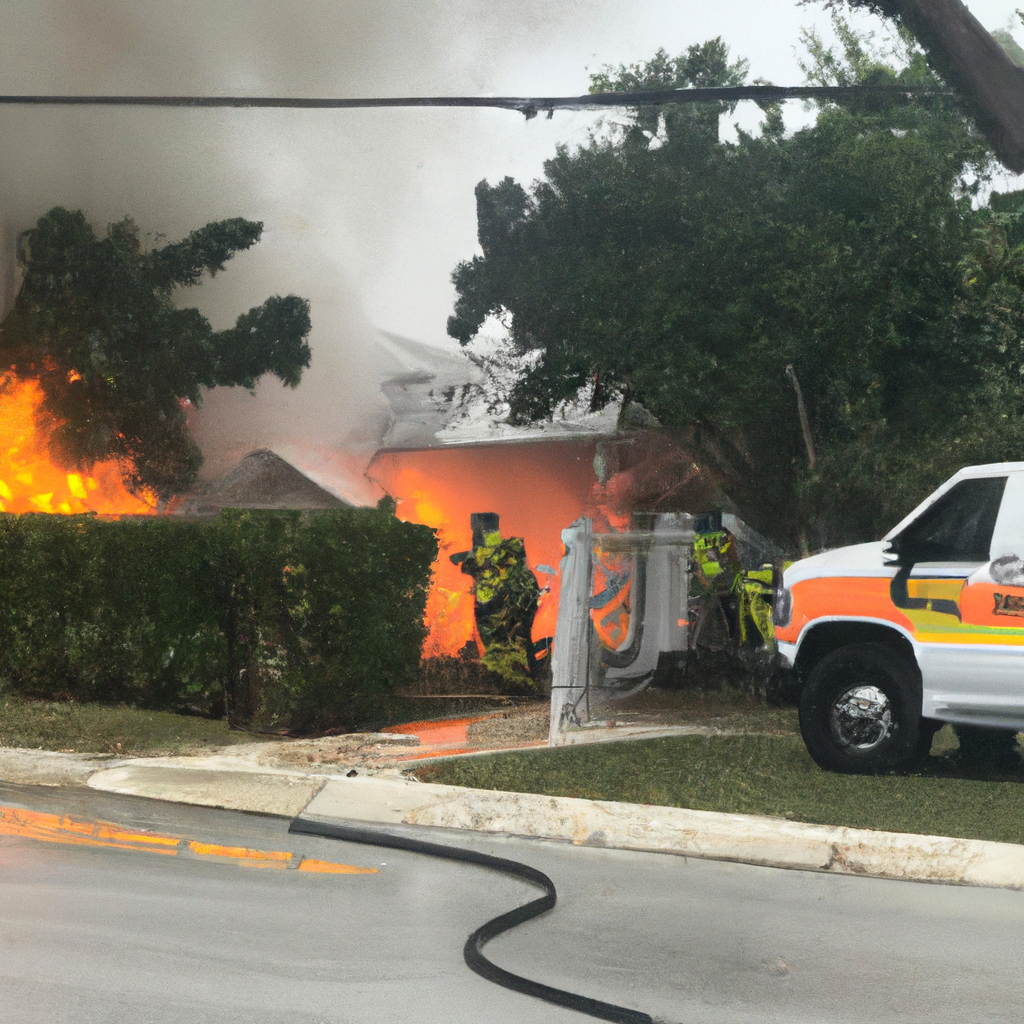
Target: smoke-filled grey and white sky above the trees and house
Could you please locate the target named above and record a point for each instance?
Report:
(366, 212)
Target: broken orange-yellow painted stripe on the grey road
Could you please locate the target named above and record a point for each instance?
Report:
(59, 829)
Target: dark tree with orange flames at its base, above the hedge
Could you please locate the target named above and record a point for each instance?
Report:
(97, 324)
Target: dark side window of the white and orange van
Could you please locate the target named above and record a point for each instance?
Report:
(958, 528)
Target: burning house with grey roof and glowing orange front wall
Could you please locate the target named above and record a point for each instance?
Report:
(447, 456)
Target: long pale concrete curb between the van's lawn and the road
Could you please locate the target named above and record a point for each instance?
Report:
(752, 840)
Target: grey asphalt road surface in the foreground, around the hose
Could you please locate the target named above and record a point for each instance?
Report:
(93, 934)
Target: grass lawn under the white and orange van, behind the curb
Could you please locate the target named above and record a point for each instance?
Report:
(761, 775)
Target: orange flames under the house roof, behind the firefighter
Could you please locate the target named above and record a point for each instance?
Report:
(538, 489)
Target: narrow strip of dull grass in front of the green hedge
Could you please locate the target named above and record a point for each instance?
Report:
(98, 729)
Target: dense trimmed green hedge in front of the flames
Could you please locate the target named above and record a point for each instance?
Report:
(277, 619)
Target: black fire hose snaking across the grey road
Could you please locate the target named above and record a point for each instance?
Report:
(472, 952)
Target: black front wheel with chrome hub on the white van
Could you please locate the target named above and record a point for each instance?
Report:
(861, 711)
